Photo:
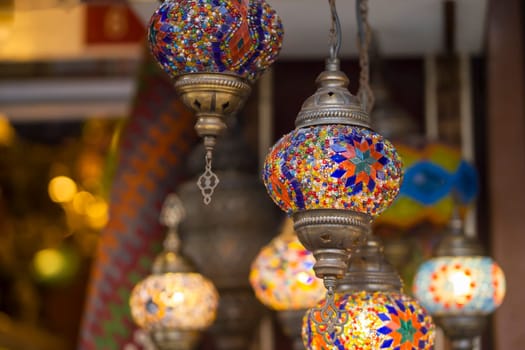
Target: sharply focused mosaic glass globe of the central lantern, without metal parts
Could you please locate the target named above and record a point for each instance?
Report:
(333, 167)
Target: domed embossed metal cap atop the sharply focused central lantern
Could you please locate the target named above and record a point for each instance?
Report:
(332, 103)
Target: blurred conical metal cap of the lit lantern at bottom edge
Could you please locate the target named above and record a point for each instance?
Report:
(368, 270)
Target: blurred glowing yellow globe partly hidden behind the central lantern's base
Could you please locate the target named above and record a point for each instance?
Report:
(282, 275)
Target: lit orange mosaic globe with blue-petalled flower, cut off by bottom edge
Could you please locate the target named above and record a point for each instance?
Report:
(380, 320)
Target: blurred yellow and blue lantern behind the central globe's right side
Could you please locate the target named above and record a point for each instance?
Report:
(434, 174)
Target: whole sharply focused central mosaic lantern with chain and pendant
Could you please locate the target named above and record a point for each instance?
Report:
(333, 174)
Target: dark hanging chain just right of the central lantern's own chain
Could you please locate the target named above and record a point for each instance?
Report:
(364, 37)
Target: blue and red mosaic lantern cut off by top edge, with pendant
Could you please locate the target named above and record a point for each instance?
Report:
(214, 50)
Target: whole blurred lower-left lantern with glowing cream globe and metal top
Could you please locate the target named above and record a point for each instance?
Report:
(175, 303)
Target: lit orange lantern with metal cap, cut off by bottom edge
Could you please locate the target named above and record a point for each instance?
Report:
(378, 315)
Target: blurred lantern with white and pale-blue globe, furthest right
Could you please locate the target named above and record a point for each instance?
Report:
(460, 287)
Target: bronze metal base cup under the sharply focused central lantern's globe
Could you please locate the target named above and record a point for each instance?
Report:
(330, 234)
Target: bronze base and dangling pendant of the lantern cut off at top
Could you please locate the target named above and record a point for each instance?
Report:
(213, 97)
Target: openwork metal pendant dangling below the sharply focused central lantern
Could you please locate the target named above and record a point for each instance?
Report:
(328, 319)
